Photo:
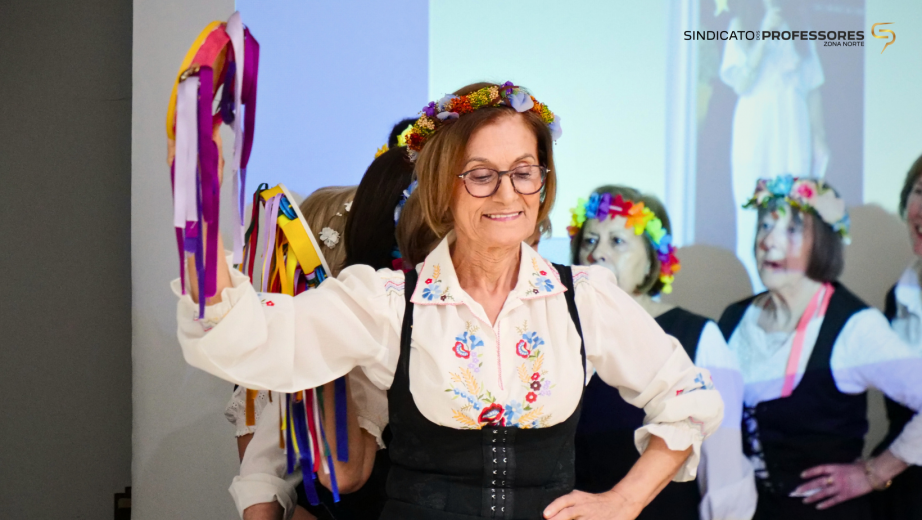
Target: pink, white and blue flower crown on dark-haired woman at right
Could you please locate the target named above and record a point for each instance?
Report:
(812, 195)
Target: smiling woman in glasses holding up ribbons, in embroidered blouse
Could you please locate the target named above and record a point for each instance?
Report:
(484, 348)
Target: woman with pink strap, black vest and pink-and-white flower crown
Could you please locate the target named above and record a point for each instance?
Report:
(808, 350)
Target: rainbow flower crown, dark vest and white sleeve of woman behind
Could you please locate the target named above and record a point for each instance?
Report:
(605, 449)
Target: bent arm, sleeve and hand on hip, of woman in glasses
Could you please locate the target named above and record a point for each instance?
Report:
(653, 372)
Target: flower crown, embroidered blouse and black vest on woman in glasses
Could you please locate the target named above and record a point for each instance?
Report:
(459, 385)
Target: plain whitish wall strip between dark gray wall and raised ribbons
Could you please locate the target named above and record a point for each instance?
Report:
(184, 453)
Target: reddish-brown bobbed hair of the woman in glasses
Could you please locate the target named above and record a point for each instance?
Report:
(441, 159)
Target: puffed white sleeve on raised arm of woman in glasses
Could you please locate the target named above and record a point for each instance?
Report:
(269, 341)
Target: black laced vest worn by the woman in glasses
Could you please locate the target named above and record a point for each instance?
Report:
(442, 473)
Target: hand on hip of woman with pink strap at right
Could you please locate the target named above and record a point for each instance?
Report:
(834, 484)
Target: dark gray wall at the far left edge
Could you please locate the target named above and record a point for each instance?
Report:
(65, 294)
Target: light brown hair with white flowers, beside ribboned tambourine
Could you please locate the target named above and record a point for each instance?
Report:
(326, 207)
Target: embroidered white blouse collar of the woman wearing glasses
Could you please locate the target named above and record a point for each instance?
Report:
(438, 281)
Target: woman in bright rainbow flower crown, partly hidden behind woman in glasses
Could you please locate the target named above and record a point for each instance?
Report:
(629, 233)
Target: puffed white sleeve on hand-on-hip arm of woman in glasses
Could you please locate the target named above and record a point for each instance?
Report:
(630, 352)
